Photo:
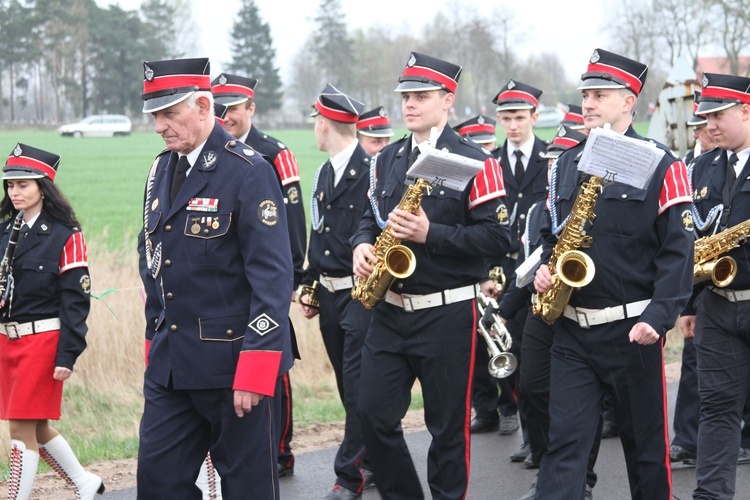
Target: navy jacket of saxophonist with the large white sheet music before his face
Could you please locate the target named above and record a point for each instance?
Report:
(642, 239)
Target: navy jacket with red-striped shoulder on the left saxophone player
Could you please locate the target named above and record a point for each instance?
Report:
(466, 227)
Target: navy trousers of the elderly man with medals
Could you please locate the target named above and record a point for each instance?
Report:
(177, 428)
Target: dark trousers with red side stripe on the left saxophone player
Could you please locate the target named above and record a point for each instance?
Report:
(436, 346)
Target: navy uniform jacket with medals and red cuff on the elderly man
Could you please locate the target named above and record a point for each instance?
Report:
(217, 309)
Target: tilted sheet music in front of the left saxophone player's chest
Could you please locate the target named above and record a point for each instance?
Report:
(444, 169)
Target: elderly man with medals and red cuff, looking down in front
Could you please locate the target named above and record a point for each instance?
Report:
(218, 276)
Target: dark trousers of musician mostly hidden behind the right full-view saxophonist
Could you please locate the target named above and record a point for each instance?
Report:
(535, 380)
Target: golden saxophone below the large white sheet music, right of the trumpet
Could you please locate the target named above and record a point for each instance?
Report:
(570, 268)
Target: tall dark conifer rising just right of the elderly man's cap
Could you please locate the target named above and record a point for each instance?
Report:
(254, 56)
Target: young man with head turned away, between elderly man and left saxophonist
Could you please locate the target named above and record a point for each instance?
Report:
(339, 198)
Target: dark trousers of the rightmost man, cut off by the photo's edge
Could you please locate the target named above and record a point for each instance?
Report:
(722, 340)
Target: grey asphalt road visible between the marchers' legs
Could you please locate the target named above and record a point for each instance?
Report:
(493, 476)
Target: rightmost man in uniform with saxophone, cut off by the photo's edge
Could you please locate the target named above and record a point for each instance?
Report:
(718, 317)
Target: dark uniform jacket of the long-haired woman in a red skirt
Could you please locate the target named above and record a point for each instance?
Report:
(51, 276)
